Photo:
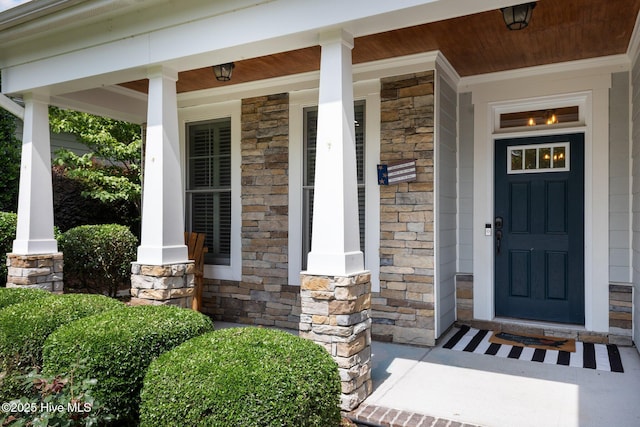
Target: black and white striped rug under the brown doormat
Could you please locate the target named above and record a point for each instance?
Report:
(587, 355)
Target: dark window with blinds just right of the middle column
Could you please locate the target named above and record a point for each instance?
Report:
(209, 186)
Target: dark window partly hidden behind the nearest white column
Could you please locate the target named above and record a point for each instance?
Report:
(309, 165)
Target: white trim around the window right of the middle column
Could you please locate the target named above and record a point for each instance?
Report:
(232, 110)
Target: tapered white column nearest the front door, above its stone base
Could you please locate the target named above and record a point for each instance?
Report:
(335, 245)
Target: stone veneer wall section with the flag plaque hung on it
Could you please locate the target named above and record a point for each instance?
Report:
(403, 310)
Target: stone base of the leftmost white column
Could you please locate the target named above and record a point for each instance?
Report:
(42, 271)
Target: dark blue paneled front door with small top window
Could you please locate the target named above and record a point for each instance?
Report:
(539, 228)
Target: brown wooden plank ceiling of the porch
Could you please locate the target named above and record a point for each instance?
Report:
(560, 31)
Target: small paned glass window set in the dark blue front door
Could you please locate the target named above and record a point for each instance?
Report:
(539, 158)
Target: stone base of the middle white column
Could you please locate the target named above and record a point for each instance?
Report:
(172, 284)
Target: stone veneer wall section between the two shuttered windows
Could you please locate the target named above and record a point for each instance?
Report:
(263, 296)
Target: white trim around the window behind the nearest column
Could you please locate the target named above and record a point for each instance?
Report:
(368, 91)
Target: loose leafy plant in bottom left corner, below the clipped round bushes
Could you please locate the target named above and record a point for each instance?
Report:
(55, 401)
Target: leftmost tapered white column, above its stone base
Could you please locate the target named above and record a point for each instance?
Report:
(34, 232)
